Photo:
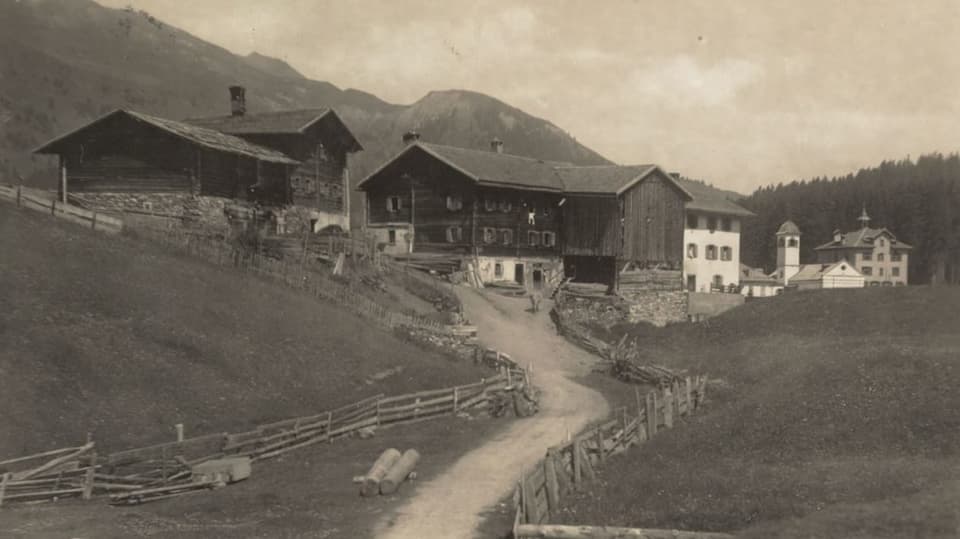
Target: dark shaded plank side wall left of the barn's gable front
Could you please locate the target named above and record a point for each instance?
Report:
(591, 226)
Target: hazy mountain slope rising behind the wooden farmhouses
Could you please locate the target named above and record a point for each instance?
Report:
(65, 62)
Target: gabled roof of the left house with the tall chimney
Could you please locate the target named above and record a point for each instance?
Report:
(285, 122)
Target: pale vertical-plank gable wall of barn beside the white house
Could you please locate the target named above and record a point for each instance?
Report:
(653, 220)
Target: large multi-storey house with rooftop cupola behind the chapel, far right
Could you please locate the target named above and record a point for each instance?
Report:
(875, 252)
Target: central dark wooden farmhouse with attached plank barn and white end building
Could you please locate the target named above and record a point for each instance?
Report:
(531, 221)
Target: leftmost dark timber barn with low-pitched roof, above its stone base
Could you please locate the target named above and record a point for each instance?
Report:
(131, 152)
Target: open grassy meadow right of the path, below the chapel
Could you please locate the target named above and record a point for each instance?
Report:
(834, 414)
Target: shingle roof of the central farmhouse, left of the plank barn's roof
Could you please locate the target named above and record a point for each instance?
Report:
(495, 168)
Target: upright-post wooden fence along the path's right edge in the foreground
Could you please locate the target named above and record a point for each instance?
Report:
(540, 490)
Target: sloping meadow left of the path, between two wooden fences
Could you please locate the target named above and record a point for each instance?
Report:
(124, 339)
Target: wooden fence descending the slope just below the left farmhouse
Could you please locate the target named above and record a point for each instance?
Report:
(296, 274)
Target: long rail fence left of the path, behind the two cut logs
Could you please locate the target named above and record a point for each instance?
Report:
(163, 470)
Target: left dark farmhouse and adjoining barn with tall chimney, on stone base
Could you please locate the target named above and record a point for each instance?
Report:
(130, 161)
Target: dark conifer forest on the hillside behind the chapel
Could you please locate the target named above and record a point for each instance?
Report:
(919, 201)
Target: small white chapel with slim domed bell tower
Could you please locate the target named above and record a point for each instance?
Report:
(791, 273)
